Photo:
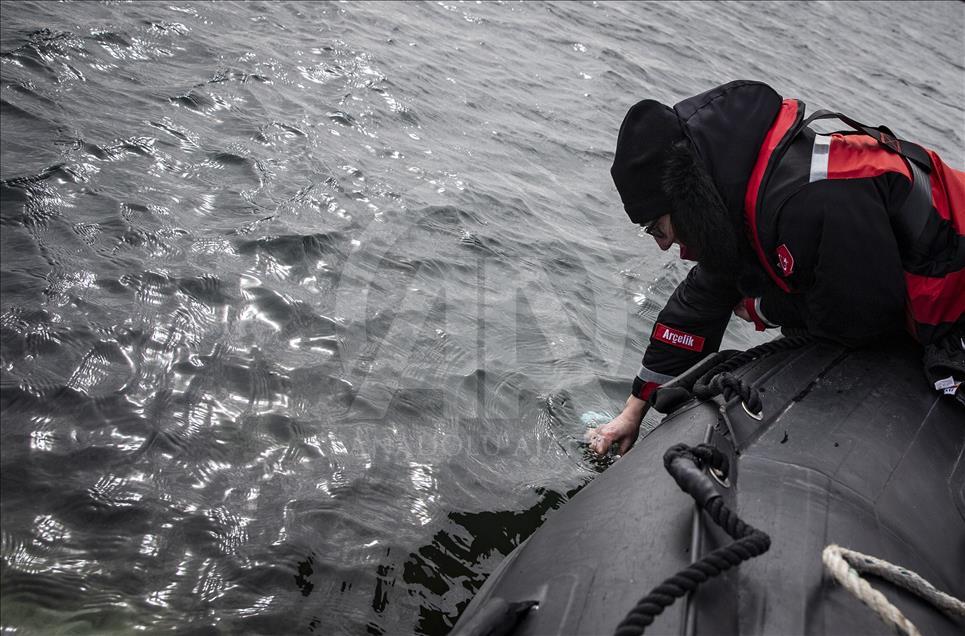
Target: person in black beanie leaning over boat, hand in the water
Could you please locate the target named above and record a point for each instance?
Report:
(792, 229)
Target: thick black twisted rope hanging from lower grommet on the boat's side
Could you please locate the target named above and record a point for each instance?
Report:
(685, 463)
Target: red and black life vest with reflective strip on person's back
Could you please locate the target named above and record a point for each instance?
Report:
(792, 155)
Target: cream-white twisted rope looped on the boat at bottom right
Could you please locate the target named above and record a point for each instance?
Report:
(846, 565)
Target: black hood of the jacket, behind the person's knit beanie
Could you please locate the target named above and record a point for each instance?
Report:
(726, 126)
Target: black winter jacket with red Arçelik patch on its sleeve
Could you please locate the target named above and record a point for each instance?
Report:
(837, 246)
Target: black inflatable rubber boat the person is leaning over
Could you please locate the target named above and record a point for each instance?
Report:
(848, 447)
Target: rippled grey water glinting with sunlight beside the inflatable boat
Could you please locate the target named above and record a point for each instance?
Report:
(305, 306)
